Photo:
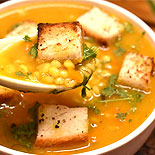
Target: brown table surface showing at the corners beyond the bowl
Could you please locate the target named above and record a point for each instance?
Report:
(141, 9)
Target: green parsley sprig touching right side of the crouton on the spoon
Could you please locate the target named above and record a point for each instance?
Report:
(89, 52)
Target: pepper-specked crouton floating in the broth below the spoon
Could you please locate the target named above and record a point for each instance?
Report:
(59, 125)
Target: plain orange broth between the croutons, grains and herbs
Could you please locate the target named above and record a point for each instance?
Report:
(104, 128)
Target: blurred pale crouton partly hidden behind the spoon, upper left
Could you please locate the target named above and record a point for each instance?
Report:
(24, 28)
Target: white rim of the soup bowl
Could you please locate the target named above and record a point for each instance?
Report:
(135, 20)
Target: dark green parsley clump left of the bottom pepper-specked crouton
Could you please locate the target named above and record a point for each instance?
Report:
(25, 132)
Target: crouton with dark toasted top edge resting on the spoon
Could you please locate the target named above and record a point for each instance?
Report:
(61, 41)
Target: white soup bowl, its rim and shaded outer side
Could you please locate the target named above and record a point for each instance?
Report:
(132, 142)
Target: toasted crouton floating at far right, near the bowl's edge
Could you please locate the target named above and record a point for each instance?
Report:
(136, 71)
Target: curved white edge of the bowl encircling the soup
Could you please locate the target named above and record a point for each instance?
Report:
(122, 13)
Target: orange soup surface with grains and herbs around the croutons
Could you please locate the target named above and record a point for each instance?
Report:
(109, 120)
